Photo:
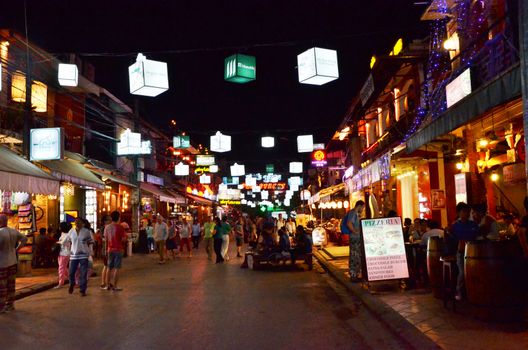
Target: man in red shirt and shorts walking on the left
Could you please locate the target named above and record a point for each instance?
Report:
(116, 238)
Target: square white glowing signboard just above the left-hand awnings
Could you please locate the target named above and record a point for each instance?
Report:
(46, 144)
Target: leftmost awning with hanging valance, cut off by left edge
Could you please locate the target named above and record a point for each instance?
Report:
(19, 175)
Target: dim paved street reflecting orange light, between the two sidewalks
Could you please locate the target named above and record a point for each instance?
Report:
(192, 303)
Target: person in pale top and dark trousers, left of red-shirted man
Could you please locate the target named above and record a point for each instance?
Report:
(80, 240)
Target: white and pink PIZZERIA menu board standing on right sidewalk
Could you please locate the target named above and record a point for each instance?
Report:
(384, 249)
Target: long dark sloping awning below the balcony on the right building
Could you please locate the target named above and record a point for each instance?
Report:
(504, 88)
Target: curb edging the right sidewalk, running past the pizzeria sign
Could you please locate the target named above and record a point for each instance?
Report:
(396, 323)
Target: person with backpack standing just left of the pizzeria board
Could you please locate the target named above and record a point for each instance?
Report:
(350, 225)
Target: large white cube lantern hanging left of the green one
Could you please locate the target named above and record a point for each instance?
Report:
(147, 77)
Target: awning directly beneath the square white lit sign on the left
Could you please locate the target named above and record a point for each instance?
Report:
(71, 171)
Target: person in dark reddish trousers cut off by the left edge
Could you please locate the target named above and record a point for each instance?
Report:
(10, 241)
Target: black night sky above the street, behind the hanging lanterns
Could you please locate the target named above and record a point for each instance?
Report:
(194, 37)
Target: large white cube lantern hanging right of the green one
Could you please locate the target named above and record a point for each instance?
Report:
(317, 66)
